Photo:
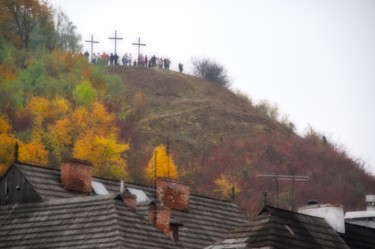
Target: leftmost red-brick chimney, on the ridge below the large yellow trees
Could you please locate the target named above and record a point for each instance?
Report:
(76, 175)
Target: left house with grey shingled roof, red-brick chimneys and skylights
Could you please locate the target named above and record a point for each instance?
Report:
(68, 208)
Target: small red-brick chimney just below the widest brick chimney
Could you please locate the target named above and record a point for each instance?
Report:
(163, 217)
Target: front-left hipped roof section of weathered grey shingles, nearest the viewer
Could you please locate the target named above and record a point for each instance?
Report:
(90, 222)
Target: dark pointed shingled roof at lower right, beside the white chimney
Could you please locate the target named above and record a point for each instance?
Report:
(278, 228)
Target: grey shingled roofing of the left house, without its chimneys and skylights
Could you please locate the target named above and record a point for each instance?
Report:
(206, 221)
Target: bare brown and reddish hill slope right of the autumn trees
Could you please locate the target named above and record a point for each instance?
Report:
(215, 134)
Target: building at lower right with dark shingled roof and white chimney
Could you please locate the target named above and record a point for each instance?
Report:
(313, 226)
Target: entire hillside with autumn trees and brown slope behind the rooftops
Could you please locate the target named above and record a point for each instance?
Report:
(54, 105)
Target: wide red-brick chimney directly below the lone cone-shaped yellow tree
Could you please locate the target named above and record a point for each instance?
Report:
(172, 194)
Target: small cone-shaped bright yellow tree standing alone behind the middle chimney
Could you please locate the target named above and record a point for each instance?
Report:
(165, 166)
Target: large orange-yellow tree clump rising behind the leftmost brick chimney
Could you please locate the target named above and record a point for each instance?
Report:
(95, 140)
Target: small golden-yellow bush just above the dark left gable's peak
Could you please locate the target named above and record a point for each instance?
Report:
(33, 153)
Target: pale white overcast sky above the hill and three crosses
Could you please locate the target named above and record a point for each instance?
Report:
(314, 59)
